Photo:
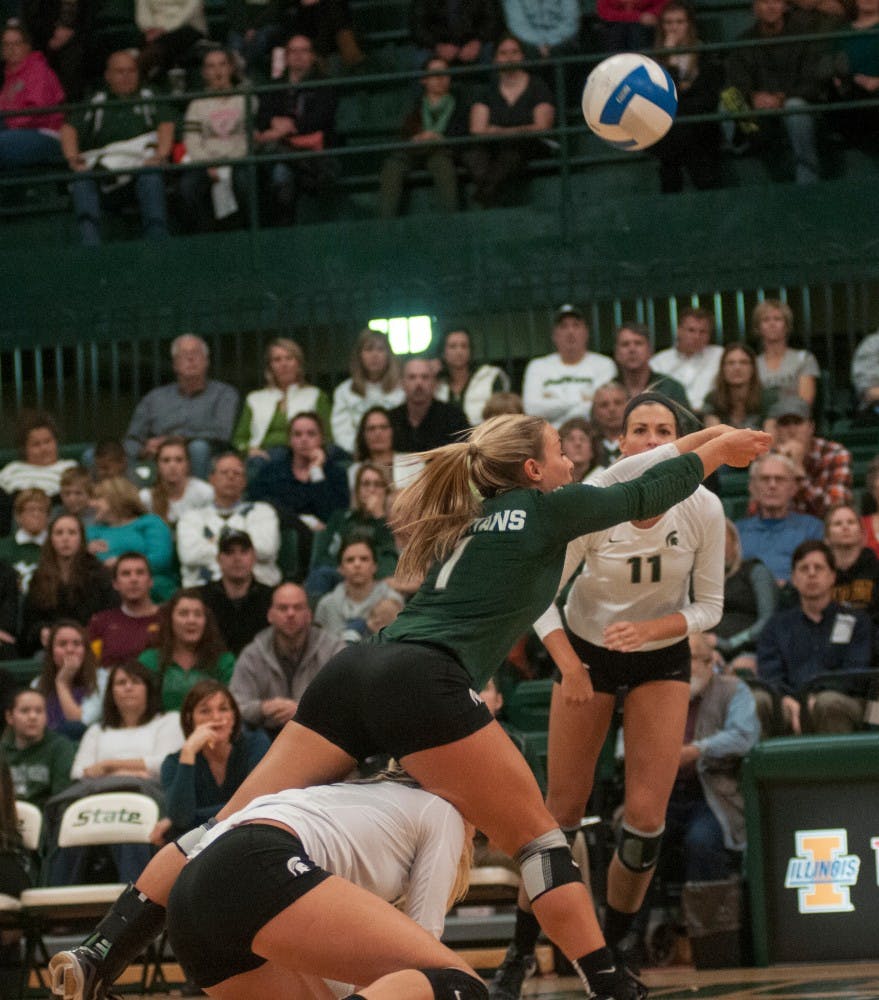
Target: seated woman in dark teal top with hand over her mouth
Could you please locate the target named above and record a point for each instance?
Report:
(216, 757)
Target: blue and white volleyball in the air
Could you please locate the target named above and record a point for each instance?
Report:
(629, 101)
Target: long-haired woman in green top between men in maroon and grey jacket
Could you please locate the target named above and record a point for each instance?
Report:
(189, 649)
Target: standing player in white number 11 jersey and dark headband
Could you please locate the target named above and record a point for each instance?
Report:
(628, 615)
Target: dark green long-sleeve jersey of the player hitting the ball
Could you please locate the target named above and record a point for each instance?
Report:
(505, 570)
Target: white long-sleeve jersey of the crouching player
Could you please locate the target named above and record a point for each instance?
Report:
(395, 841)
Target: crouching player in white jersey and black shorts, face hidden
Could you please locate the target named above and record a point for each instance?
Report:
(297, 888)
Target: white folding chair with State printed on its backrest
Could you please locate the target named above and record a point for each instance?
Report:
(106, 818)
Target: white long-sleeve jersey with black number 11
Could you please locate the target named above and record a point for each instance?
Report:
(637, 574)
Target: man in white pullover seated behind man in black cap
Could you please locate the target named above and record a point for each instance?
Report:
(198, 531)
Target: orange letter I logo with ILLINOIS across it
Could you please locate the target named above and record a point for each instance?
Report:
(822, 872)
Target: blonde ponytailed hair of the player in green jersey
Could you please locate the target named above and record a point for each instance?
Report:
(433, 513)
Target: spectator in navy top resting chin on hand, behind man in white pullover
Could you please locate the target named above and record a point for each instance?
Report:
(306, 486)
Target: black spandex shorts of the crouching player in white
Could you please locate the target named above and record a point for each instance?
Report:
(229, 892)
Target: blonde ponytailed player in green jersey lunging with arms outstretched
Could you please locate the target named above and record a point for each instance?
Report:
(487, 524)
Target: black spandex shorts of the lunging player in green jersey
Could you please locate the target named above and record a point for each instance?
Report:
(394, 697)
